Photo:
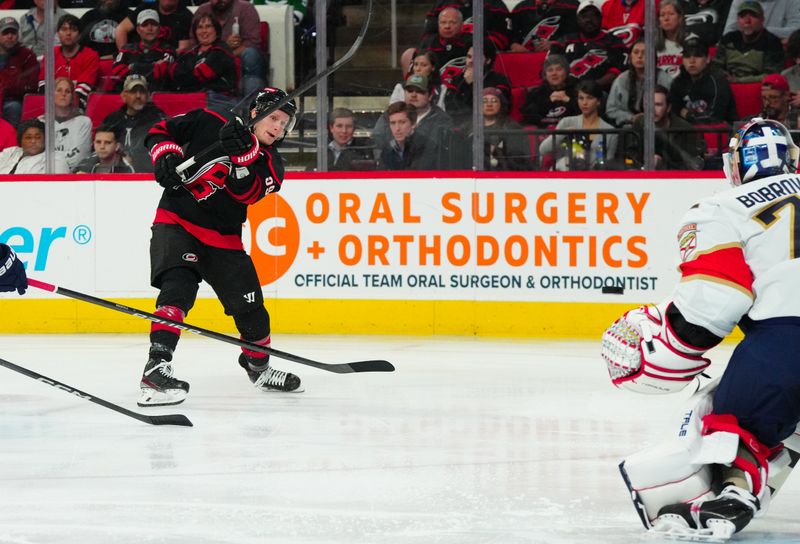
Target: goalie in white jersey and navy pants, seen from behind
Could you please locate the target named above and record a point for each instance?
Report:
(740, 253)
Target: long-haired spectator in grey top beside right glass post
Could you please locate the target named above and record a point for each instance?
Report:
(624, 104)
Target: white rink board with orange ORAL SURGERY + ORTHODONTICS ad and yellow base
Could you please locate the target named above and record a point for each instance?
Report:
(376, 253)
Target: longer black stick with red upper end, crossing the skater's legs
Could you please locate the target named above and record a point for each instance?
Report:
(376, 365)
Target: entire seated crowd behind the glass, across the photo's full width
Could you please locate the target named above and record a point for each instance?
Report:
(585, 109)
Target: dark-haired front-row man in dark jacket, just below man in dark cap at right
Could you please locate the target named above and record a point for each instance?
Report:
(678, 146)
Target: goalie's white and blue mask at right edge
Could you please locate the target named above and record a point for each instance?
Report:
(761, 148)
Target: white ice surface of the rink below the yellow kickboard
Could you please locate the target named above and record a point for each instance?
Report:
(469, 441)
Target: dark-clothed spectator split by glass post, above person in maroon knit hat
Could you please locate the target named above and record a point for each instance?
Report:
(457, 97)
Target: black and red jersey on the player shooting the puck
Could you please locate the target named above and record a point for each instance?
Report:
(214, 206)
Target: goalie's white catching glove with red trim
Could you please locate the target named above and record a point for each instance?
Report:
(645, 355)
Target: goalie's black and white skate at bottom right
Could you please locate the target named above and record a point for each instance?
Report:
(713, 520)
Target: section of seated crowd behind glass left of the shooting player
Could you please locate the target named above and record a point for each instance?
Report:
(119, 51)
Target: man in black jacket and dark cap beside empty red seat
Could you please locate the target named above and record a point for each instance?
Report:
(701, 94)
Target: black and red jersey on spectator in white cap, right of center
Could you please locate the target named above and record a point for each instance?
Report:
(591, 58)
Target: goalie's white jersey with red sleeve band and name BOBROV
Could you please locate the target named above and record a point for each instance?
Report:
(739, 255)
